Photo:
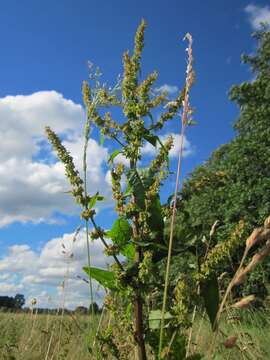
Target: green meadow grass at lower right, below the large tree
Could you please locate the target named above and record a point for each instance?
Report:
(251, 328)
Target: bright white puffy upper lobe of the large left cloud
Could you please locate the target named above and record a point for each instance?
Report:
(23, 118)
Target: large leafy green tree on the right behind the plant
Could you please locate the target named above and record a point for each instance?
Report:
(233, 186)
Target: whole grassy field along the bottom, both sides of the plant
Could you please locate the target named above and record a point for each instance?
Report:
(25, 336)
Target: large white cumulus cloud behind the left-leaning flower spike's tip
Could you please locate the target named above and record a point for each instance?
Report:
(32, 181)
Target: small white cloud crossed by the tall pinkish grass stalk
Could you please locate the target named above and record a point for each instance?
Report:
(150, 150)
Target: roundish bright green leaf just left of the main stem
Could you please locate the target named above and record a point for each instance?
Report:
(120, 233)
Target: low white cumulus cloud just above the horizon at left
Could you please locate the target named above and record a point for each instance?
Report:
(61, 259)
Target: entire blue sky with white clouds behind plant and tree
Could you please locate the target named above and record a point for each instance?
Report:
(45, 49)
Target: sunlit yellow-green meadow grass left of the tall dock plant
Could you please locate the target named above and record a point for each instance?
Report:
(38, 336)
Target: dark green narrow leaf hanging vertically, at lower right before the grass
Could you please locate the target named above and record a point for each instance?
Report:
(210, 294)
